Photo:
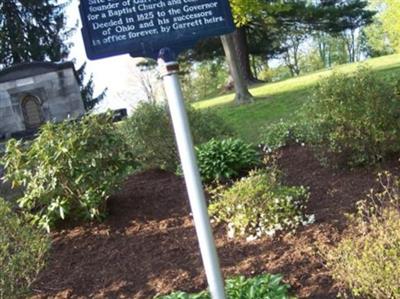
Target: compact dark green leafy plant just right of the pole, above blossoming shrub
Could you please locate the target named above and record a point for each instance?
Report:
(220, 160)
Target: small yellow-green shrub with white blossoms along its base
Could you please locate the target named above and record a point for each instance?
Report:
(259, 204)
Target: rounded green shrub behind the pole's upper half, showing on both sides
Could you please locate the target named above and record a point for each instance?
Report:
(150, 134)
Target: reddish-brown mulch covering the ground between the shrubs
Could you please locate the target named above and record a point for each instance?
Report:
(148, 244)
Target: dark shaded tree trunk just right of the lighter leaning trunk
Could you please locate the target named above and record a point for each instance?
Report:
(243, 55)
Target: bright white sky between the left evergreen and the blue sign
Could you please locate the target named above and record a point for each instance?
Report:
(114, 73)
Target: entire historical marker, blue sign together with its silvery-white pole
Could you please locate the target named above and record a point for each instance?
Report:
(160, 29)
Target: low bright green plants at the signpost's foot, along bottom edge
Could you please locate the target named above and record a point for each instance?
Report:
(264, 286)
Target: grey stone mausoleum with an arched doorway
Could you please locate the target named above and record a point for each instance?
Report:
(34, 93)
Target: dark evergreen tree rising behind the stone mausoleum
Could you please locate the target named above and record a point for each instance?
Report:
(32, 30)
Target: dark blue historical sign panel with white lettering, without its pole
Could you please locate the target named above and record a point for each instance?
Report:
(142, 27)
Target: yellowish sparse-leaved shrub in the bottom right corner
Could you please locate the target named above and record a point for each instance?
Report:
(367, 260)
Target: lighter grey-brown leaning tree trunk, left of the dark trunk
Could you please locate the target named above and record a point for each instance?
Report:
(243, 95)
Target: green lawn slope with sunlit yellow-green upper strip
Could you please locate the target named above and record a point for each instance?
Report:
(281, 100)
